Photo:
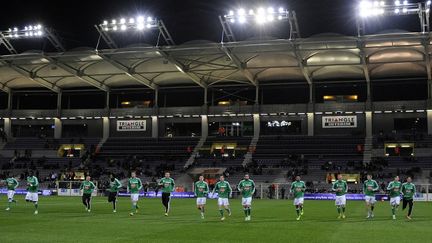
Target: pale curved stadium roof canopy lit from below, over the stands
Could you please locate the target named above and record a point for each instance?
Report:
(321, 58)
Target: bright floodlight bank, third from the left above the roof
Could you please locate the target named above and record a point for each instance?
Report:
(260, 15)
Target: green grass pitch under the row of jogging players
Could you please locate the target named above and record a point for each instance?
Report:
(63, 219)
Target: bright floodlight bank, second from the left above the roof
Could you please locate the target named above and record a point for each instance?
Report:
(138, 23)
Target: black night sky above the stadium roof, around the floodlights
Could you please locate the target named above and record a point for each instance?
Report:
(185, 19)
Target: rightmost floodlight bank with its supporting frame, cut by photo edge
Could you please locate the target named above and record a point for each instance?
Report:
(368, 9)
